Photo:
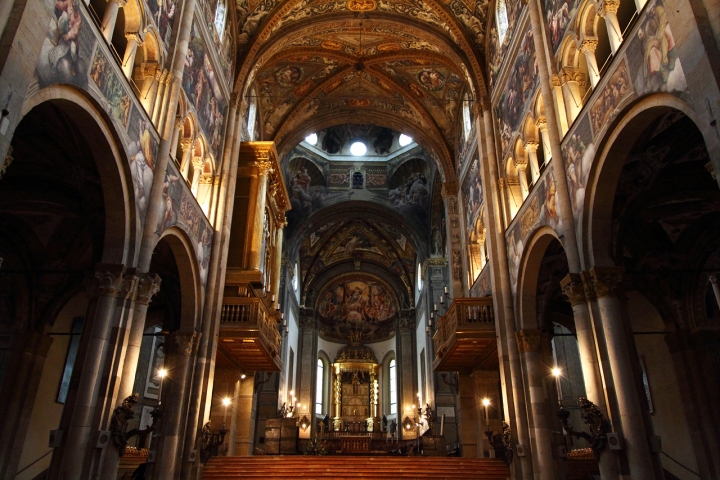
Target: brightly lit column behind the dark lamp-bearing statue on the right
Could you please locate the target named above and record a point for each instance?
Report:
(574, 290)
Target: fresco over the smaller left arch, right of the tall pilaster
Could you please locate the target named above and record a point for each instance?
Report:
(182, 211)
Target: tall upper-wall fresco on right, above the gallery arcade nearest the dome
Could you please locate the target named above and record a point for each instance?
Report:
(519, 90)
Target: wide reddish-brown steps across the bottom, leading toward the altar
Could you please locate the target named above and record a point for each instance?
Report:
(360, 467)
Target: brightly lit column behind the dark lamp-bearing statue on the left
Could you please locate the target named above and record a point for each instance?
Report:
(147, 286)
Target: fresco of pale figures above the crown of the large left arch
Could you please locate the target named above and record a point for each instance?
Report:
(67, 47)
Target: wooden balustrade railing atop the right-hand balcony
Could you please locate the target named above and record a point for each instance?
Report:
(464, 314)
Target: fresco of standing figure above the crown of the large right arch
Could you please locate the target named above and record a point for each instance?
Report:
(653, 52)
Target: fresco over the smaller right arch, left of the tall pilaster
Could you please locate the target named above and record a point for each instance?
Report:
(539, 209)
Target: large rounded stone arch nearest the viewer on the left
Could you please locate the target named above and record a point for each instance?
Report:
(114, 170)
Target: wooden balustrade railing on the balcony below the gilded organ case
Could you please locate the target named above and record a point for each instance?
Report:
(251, 313)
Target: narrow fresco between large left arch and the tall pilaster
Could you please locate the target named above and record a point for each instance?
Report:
(142, 154)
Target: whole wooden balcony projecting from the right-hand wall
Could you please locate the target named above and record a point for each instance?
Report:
(465, 338)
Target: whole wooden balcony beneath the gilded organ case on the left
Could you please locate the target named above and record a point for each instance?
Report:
(249, 337)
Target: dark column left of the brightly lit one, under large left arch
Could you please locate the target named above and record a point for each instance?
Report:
(106, 285)
